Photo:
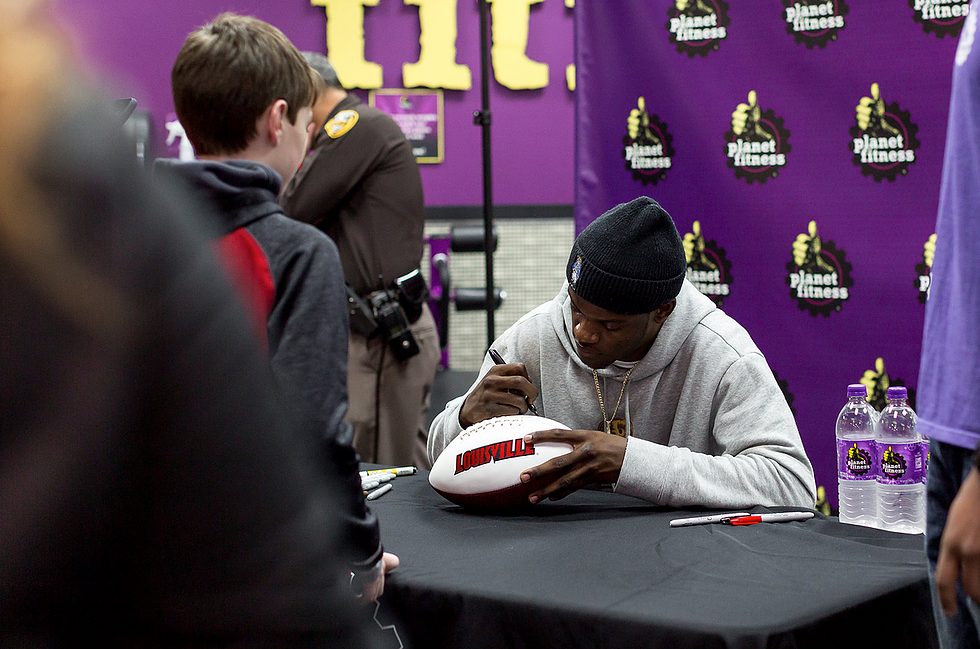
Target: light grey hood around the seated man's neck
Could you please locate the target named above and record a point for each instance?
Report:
(692, 307)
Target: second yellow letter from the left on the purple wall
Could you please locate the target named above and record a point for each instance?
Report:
(437, 66)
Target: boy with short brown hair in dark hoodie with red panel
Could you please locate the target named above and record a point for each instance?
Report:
(244, 96)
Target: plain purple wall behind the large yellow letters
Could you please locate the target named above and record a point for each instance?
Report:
(136, 42)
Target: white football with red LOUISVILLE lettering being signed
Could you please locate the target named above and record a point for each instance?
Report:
(481, 468)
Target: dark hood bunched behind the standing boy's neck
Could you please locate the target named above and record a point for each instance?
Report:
(241, 191)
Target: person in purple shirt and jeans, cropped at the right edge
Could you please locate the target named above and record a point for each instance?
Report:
(949, 377)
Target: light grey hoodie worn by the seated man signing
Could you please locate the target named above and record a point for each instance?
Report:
(709, 426)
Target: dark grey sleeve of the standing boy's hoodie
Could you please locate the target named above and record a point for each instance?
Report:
(308, 335)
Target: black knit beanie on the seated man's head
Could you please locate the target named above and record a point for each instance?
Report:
(630, 260)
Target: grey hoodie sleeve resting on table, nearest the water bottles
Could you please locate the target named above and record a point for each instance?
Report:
(759, 457)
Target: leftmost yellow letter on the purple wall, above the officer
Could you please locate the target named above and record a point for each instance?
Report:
(345, 42)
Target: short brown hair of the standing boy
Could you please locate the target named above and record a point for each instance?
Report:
(225, 76)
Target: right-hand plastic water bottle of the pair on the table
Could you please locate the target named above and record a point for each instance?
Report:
(901, 493)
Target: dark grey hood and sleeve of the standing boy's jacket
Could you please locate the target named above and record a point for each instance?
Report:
(307, 326)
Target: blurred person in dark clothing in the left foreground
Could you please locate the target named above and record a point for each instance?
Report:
(151, 492)
